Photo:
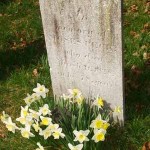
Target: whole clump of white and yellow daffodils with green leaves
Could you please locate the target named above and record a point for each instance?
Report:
(85, 122)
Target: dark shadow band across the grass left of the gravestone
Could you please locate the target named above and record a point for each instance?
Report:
(11, 60)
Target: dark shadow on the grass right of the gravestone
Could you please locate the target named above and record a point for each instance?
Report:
(137, 89)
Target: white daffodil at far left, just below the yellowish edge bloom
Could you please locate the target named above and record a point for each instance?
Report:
(10, 125)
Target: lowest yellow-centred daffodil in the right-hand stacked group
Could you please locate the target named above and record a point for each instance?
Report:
(99, 135)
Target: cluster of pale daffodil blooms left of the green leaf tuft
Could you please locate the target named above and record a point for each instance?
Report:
(34, 122)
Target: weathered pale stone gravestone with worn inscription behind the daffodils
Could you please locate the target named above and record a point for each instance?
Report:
(84, 46)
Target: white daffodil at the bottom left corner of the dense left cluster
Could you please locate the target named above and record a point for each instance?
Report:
(25, 132)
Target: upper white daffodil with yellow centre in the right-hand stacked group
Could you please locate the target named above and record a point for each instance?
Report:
(97, 123)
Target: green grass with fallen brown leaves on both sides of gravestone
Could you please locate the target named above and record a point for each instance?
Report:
(22, 50)
